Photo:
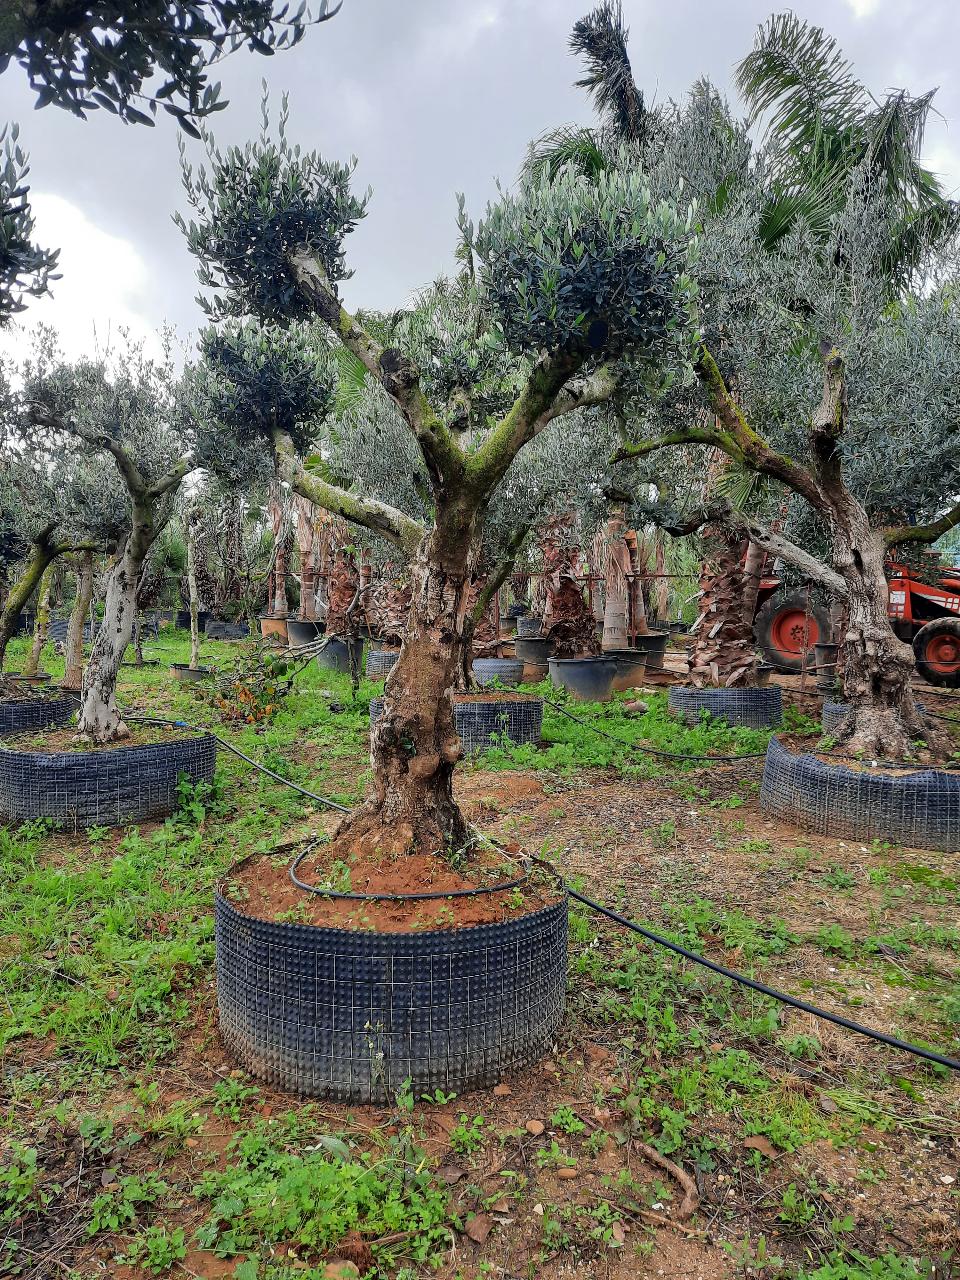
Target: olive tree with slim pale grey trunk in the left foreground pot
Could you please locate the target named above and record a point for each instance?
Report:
(129, 409)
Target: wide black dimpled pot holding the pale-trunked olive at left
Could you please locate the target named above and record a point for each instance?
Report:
(106, 788)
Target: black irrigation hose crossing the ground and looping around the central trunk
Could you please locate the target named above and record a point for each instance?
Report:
(659, 940)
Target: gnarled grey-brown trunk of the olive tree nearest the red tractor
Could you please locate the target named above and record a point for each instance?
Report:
(879, 666)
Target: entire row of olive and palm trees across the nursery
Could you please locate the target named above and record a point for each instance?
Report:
(670, 319)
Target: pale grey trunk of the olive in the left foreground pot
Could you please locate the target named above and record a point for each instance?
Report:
(100, 720)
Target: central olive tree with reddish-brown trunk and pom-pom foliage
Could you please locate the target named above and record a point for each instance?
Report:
(574, 278)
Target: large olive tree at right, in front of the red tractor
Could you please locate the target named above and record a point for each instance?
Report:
(810, 374)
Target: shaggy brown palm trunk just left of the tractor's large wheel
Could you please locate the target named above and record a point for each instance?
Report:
(724, 652)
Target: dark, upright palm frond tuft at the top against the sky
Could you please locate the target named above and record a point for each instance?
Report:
(601, 40)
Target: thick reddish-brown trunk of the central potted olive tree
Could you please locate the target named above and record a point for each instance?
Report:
(414, 743)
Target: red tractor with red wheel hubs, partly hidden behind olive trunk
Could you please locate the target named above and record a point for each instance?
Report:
(926, 614)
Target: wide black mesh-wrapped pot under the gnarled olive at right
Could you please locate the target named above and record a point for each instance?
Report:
(918, 810)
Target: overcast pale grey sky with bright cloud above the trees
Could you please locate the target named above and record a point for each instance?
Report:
(435, 97)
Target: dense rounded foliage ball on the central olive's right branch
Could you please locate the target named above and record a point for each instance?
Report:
(587, 267)
